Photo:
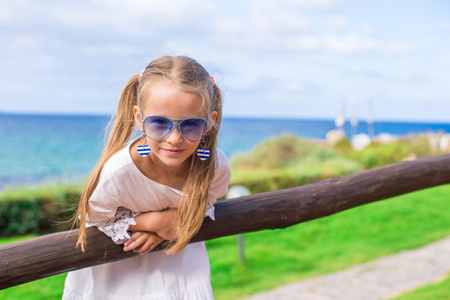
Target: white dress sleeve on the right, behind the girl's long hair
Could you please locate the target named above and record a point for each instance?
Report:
(219, 185)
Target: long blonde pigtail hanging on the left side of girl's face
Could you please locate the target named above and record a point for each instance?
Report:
(121, 128)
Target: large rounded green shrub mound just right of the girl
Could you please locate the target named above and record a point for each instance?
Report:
(288, 161)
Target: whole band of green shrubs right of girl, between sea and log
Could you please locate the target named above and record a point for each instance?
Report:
(289, 161)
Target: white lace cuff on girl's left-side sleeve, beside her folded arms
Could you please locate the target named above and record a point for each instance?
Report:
(117, 227)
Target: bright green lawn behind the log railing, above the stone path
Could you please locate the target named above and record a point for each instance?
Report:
(275, 257)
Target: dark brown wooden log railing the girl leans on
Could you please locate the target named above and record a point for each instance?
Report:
(55, 253)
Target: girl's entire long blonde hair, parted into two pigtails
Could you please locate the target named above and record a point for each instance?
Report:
(188, 75)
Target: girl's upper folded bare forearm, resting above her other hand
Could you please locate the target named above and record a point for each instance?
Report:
(163, 223)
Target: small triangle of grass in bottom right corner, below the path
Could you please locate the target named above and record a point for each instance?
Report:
(436, 291)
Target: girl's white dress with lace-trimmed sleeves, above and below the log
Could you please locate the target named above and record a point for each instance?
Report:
(156, 275)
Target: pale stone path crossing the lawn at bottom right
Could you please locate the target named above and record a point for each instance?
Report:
(379, 279)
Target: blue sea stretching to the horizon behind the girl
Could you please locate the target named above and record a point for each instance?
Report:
(38, 149)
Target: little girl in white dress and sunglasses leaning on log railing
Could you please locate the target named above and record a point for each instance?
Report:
(159, 186)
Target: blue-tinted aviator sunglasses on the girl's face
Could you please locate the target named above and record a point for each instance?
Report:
(157, 127)
